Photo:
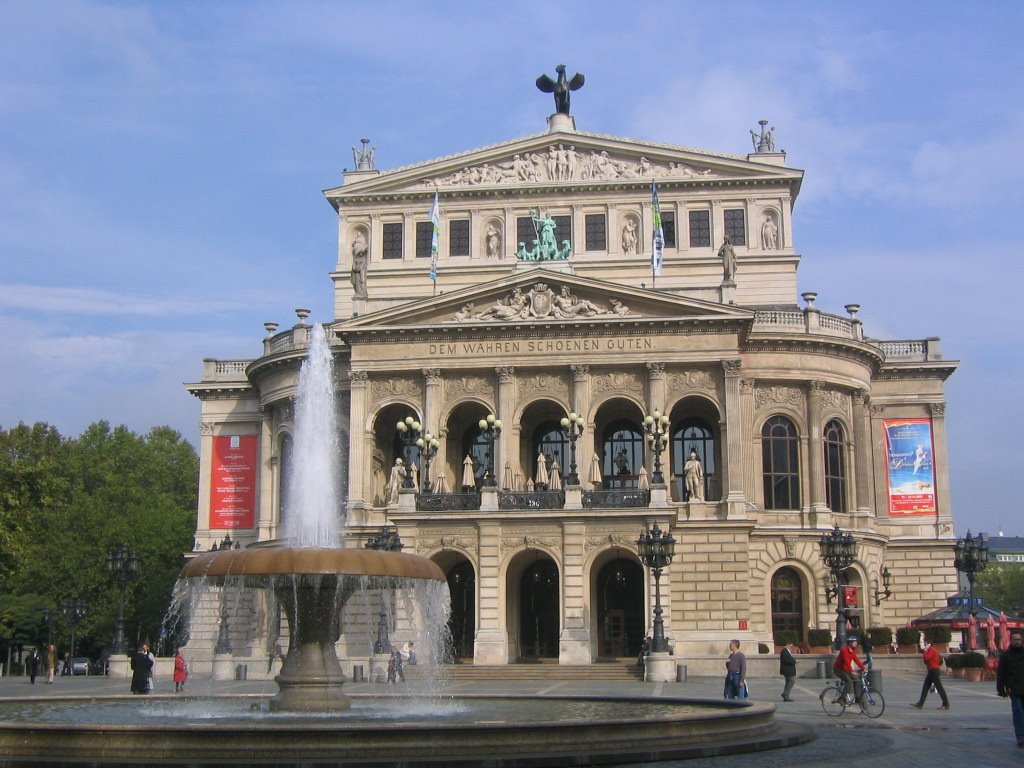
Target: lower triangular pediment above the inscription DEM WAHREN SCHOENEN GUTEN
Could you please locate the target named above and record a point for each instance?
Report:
(541, 296)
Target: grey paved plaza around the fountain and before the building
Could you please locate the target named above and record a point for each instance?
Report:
(976, 733)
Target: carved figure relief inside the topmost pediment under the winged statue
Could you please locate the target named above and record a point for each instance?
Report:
(566, 163)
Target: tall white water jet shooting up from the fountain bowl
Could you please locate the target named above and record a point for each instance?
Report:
(314, 511)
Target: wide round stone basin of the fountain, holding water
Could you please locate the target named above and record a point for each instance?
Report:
(471, 731)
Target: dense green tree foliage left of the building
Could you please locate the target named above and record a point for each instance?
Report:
(67, 503)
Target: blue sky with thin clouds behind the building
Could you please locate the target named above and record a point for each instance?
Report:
(161, 168)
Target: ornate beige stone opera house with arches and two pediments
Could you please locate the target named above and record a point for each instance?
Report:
(547, 304)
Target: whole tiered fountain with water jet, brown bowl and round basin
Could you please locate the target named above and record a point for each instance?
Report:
(315, 578)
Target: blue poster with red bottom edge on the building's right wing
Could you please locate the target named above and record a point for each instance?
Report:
(912, 467)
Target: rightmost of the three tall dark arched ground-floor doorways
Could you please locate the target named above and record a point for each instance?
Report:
(620, 603)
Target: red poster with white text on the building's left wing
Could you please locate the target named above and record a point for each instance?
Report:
(233, 483)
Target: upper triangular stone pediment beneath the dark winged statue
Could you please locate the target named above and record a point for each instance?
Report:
(563, 159)
